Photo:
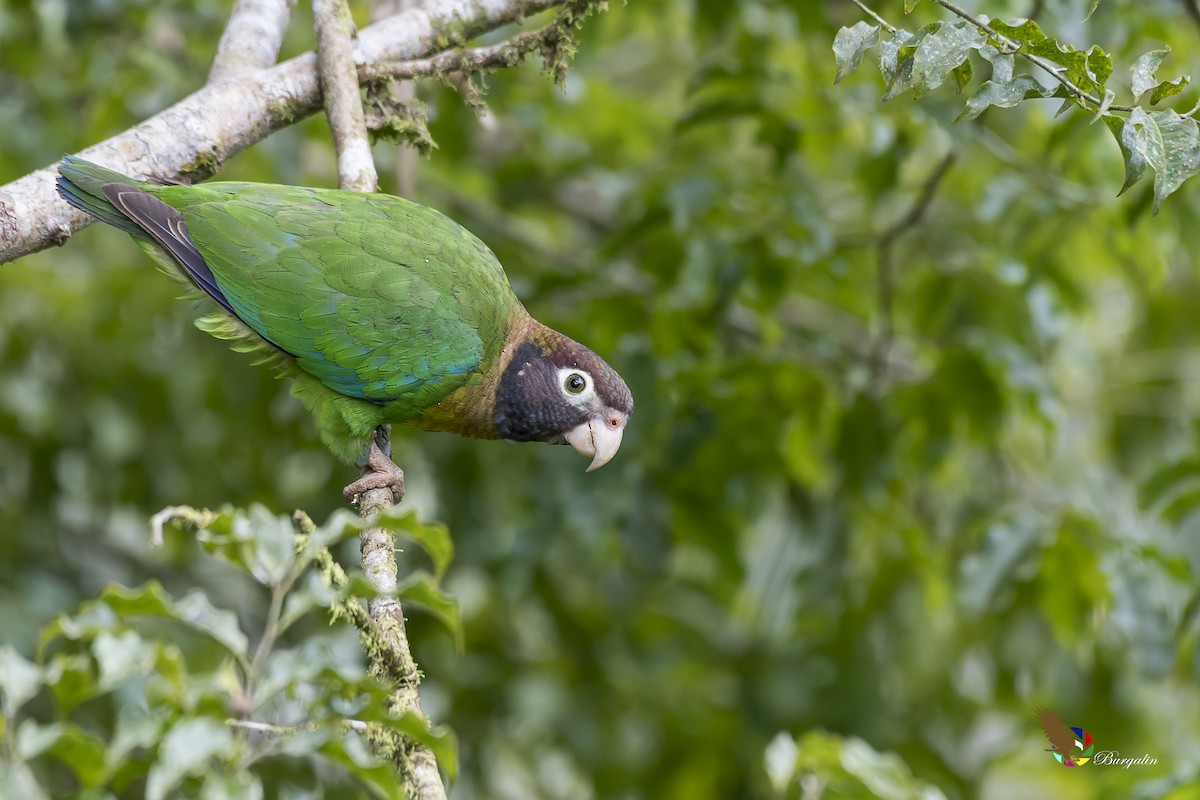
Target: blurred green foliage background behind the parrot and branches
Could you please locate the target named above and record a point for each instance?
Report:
(878, 519)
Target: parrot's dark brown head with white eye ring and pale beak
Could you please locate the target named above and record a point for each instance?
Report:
(561, 393)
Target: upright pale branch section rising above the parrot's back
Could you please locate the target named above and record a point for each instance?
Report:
(340, 91)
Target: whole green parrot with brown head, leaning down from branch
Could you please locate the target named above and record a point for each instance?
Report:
(381, 310)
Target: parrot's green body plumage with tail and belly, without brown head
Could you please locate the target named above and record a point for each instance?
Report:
(379, 308)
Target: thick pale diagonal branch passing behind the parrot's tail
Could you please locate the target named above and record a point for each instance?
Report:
(193, 139)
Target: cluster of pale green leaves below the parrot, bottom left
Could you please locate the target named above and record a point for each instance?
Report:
(143, 693)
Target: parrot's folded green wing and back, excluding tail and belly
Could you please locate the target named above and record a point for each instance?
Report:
(377, 298)
